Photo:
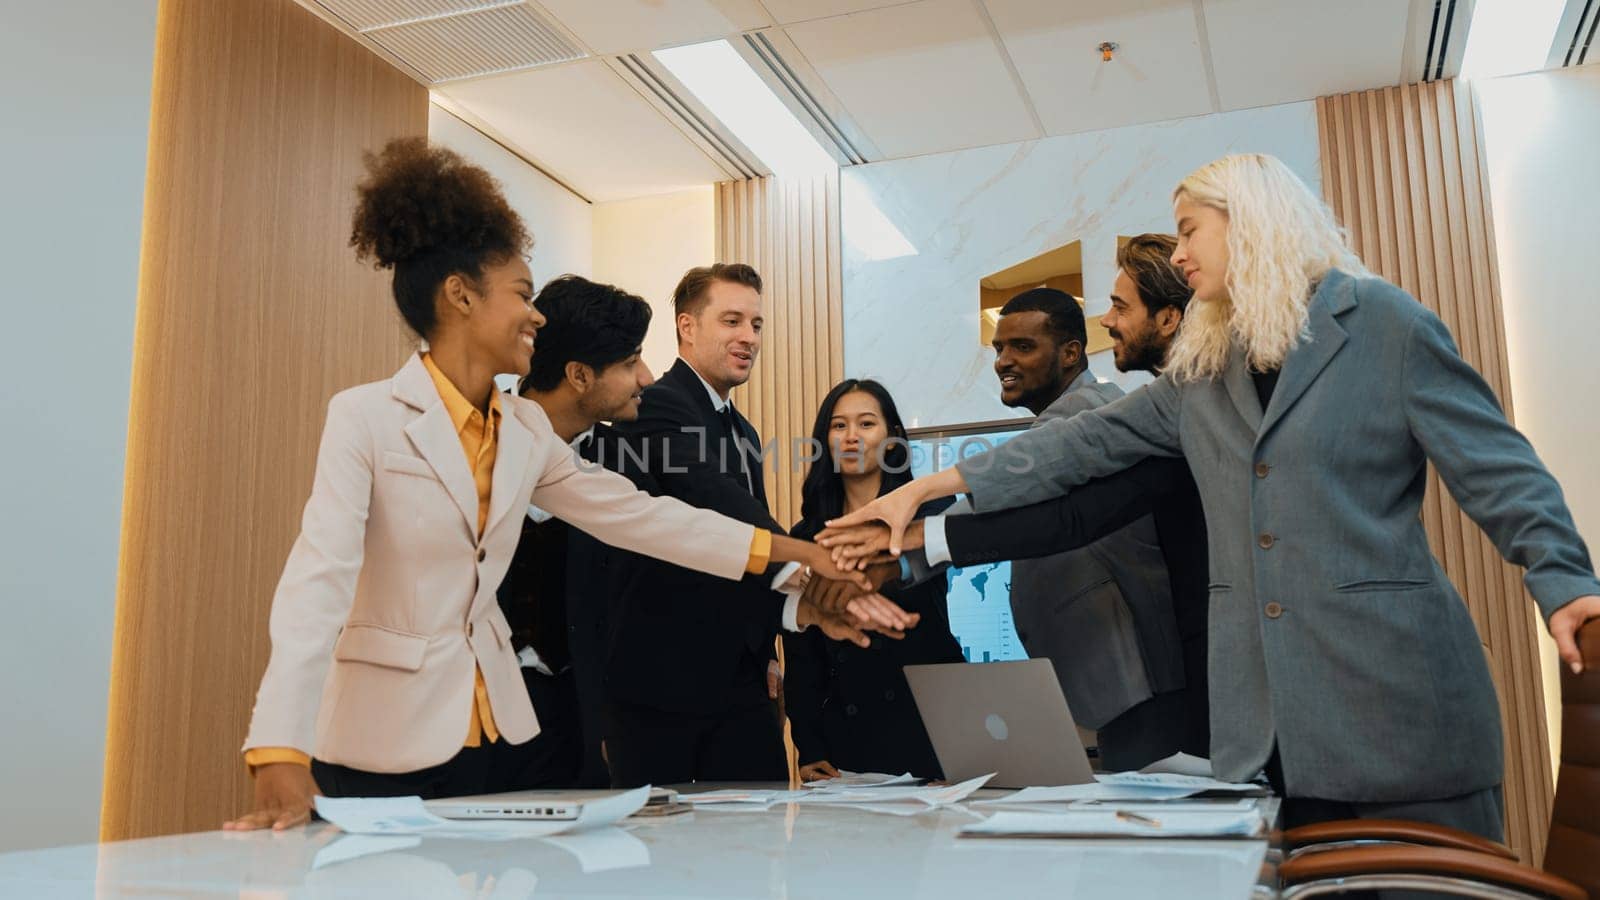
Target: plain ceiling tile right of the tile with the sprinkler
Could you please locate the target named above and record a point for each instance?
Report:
(1268, 52)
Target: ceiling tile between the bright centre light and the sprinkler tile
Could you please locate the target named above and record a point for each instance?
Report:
(921, 78)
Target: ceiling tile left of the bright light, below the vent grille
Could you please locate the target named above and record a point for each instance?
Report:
(590, 129)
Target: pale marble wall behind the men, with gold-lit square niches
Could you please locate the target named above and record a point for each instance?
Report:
(921, 233)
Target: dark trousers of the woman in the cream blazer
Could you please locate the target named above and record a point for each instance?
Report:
(551, 760)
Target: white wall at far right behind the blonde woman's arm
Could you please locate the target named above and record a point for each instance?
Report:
(1540, 134)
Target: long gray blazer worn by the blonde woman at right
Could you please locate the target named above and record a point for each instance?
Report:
(1334, 632)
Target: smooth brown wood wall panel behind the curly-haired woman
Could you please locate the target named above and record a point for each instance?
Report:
(252, 315)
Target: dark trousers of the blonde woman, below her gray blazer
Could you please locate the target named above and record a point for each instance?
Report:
(1481, 813)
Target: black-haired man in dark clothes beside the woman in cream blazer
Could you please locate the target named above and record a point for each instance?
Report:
(588, 371)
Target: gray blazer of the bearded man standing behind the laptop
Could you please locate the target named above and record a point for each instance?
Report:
(1103, 614)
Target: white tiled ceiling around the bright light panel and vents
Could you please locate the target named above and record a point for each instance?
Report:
(918, 78)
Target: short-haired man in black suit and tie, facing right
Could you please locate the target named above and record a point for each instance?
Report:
(687, 691)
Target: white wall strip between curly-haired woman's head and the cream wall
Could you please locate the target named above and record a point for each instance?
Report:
(561, 222)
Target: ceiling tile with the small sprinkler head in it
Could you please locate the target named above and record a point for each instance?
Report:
(1158, 71)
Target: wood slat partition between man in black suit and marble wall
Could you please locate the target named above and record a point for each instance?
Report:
(788, 230)
